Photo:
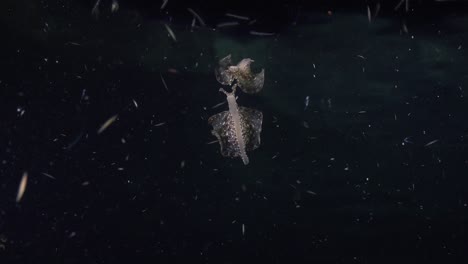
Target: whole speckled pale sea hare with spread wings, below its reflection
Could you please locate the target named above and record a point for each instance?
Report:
(238, 130)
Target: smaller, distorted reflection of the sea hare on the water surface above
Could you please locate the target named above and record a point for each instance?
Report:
(250, 83)
